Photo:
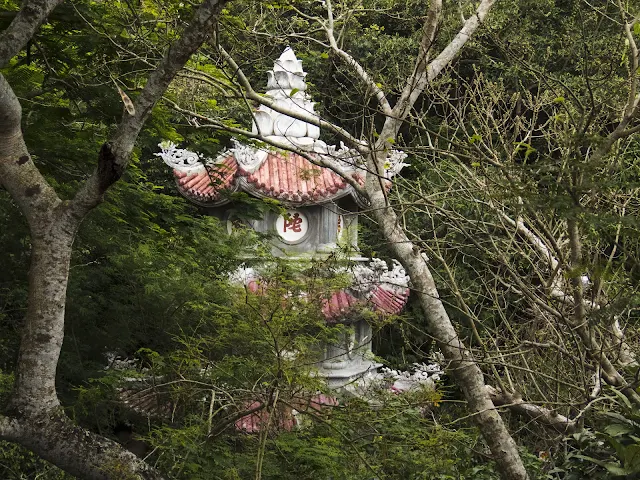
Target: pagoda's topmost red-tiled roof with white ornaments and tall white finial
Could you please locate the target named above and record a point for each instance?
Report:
(268, 172)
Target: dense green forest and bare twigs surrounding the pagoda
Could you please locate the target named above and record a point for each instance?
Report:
(528, 215)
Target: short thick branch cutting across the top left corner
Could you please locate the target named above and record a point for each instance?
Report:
(23, 27)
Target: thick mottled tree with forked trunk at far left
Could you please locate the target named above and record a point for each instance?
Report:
(34, 417)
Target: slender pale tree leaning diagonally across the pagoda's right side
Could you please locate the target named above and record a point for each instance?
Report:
(462, 365)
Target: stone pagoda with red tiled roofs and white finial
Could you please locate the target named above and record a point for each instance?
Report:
(321, 211)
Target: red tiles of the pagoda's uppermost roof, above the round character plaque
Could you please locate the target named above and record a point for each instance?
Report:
(288, 177)
